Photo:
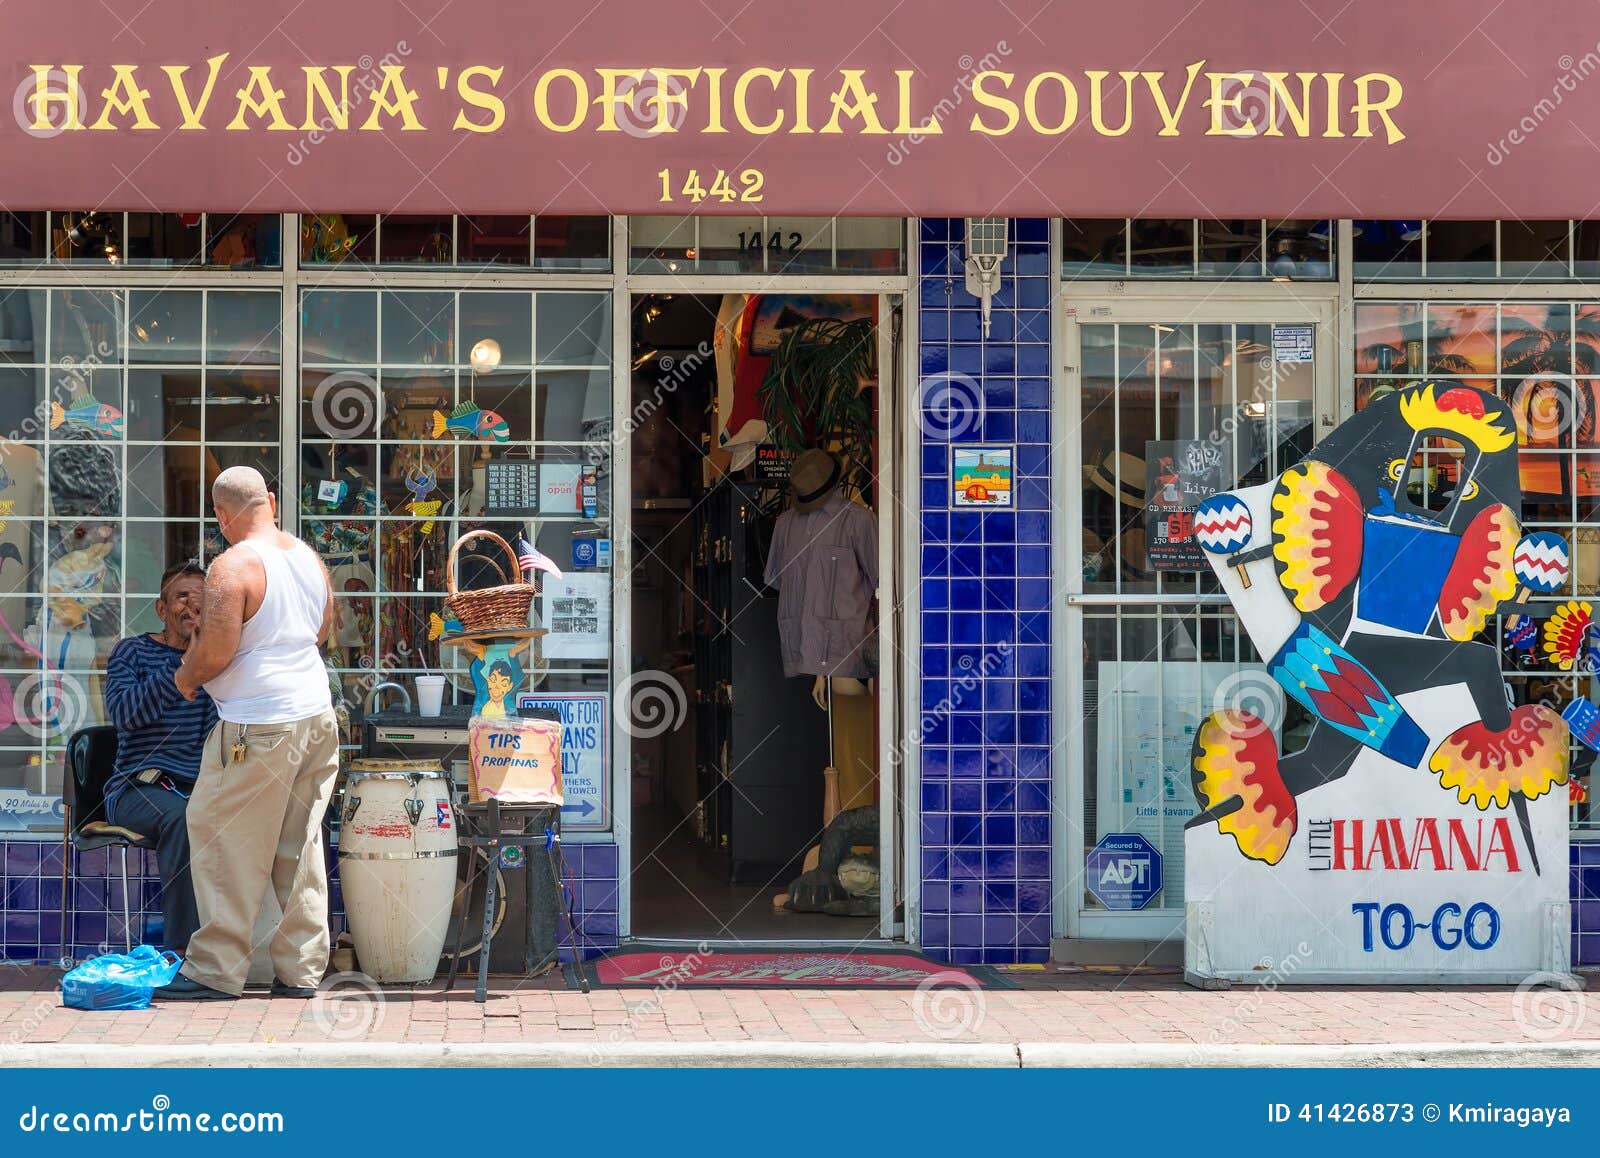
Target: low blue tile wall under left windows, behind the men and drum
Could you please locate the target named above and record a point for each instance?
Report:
(31, 892)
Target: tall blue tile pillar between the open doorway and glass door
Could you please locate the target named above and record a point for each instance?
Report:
(986, 605)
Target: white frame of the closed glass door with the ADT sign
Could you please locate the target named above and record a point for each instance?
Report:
(1108, 305)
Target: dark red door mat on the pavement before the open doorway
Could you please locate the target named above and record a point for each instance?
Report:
(782, 968)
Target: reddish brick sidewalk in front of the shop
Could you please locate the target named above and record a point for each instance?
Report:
(1046, 1008)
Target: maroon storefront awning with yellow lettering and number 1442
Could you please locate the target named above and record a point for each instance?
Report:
(1159, 110)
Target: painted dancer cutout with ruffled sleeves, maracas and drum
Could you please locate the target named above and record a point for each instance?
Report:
(1364, 575)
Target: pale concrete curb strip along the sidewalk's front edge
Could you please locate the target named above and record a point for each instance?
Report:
(769, 1055)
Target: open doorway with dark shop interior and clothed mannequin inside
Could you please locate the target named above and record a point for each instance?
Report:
(758, 492)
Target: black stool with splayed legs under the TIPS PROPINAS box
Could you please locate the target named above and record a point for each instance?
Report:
(492, 829)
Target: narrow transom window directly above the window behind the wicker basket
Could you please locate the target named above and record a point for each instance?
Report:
(553, 244)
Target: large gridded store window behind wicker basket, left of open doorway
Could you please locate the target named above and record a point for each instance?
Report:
(410, 399)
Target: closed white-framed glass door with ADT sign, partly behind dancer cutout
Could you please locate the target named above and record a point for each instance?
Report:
(1167, 401)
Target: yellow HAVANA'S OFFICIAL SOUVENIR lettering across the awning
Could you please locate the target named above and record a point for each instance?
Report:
(1204, 100)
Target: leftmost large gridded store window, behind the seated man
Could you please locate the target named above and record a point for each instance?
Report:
(118, 407)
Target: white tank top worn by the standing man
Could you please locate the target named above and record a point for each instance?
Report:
(278, 673)
